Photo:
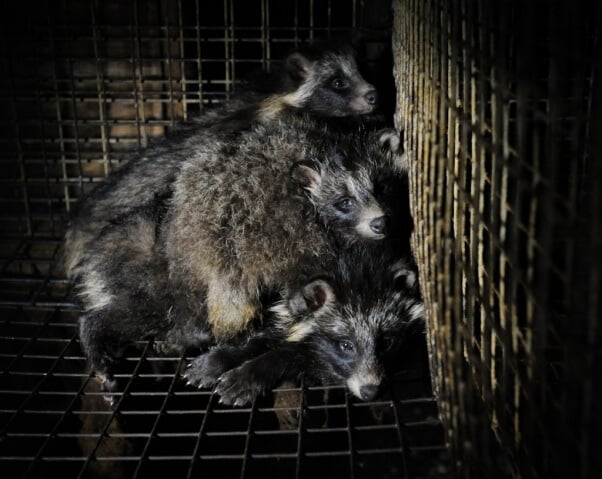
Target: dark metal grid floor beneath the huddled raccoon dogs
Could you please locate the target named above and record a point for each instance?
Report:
(55, 421)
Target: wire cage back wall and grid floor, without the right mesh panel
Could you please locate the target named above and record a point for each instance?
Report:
(84, 84)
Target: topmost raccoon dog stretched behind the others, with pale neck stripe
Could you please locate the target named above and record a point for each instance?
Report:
(322, 80)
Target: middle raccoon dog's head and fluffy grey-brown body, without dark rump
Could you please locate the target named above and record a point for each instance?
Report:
(240, 223)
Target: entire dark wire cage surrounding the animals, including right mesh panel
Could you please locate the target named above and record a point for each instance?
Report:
(501, 112)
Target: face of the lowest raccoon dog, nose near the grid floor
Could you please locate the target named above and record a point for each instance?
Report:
(349, 336)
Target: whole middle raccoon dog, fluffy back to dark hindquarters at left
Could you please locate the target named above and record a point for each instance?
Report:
(243, 219)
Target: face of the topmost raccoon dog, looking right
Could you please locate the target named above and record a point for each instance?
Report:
(329, 83)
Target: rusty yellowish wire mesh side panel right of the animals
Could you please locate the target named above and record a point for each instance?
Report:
(500, 103)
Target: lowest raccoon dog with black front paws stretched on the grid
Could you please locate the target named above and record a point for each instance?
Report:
(338, 328)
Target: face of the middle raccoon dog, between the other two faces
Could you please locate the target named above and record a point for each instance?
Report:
(343, 199)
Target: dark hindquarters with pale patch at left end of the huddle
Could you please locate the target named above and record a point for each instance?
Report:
(123, 285)
